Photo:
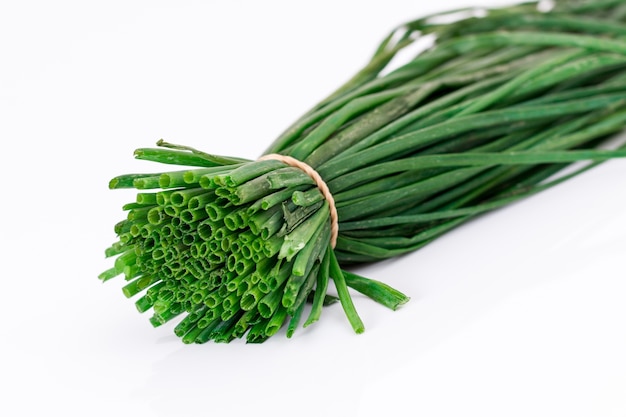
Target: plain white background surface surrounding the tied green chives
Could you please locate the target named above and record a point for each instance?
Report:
(519, 313)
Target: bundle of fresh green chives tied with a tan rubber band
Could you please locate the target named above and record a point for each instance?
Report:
(501, 102)
